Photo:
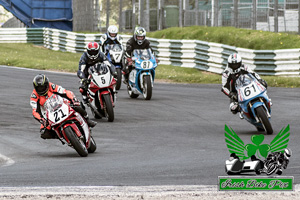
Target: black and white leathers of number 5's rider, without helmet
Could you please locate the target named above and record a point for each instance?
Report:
(83, 71)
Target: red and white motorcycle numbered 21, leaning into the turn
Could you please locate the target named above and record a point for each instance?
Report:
(69, 125)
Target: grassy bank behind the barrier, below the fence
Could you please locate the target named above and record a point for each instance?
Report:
(250, 39)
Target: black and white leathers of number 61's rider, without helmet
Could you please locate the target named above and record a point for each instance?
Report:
(228, 84)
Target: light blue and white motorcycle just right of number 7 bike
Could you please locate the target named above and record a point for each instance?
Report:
(141, 78)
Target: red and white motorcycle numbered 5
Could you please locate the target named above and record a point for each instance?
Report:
(101, 92)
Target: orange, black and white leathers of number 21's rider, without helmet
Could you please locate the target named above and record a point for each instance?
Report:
(37, 103)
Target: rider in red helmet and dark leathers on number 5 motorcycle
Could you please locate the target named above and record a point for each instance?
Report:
(89, 58)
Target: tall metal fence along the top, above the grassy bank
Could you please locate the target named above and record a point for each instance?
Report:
(268, 15)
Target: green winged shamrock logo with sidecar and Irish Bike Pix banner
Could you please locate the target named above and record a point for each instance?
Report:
(257, 158)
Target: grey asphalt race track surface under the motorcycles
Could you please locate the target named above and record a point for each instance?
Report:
(176, 138)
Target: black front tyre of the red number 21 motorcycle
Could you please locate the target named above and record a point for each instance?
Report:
(77, 143)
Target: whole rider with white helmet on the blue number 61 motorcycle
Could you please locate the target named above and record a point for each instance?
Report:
(230, 74)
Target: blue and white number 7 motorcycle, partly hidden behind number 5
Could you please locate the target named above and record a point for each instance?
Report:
(115, 54)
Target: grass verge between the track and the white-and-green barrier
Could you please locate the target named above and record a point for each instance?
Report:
(31, 56)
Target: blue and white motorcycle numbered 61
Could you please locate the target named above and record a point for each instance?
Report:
(254, 102)
